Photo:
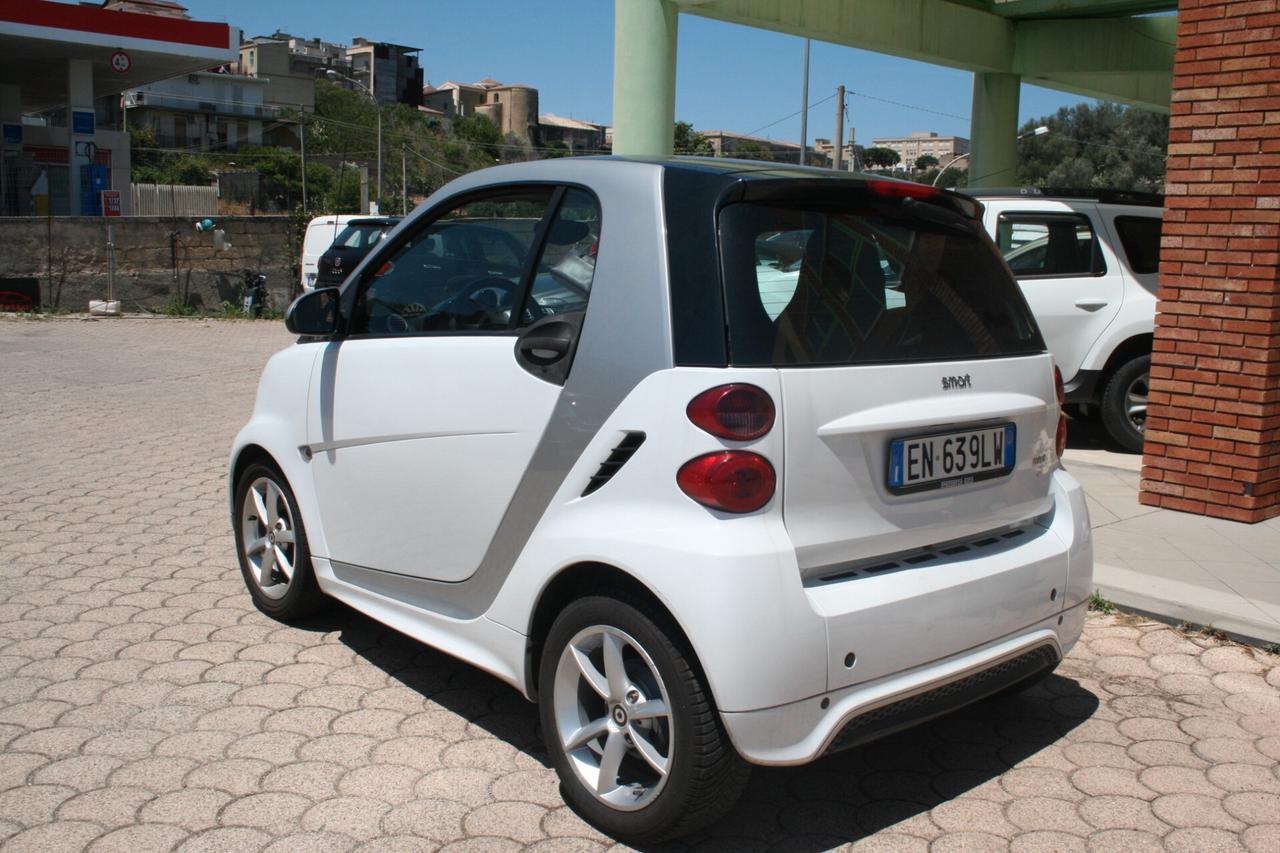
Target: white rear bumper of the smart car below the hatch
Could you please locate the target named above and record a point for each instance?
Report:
(935, 640)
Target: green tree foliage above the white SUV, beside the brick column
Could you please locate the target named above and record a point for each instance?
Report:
(1096, 148)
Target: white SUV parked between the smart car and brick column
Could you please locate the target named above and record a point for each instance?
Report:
(1089, 266)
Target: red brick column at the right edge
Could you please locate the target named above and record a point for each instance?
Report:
(1214, 423)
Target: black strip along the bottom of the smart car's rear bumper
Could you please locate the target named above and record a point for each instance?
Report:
(888, 719)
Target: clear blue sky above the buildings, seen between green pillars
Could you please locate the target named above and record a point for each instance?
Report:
(729, 77)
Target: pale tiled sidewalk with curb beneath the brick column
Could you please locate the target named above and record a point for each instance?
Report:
(1176, 565)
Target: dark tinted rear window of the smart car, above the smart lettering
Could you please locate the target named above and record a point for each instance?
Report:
(884, 282)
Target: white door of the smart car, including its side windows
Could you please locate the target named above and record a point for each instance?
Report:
(426, 414)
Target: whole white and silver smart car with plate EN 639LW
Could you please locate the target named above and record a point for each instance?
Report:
(720, 463)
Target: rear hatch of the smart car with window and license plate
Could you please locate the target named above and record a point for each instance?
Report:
(918, 400)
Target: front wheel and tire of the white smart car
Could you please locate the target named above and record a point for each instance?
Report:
(272, 545)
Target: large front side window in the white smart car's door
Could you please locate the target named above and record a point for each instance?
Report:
(459, 273)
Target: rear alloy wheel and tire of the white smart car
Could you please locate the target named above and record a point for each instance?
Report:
(630, 726)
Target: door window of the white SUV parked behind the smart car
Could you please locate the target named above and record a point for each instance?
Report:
(1050, 245)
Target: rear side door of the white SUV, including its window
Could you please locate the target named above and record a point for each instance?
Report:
(1069, 276)
